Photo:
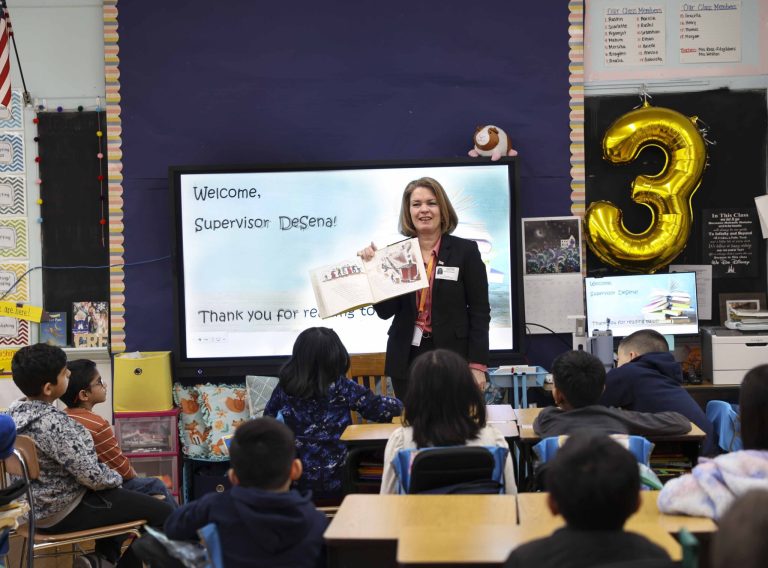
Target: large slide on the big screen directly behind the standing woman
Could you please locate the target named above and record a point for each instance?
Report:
(248, 241)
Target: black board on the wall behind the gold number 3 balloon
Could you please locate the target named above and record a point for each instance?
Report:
(737, 122)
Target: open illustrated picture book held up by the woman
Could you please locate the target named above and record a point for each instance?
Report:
(352, 283)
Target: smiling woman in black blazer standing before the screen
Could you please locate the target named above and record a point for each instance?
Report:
(454, 312)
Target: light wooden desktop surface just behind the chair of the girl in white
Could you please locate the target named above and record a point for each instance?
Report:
(387, 517)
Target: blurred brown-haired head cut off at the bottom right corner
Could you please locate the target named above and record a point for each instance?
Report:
(740, 537)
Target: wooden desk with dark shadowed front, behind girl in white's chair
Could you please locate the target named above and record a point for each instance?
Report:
(366, 528)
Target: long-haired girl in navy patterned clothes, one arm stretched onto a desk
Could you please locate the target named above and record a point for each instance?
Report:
(314, 399)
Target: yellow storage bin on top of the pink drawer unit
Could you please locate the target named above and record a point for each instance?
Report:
(143, 382)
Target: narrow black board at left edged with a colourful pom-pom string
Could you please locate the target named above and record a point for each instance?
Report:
(73, 204)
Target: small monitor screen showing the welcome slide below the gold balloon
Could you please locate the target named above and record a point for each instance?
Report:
(625, 304)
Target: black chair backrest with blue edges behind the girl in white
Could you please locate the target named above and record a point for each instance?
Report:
(454, 469)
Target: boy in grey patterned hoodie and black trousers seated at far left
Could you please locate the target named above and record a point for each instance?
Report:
(74, 491)
